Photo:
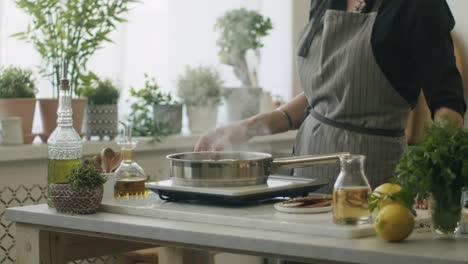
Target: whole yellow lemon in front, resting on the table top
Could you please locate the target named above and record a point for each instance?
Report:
(394, 223)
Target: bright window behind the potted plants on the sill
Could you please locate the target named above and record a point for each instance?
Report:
(161, 38)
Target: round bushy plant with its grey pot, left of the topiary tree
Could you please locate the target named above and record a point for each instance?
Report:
(200, 90)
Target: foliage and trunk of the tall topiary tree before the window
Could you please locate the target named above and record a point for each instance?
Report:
(241, 31)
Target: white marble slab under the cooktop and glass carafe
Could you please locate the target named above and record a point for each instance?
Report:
(256, 216)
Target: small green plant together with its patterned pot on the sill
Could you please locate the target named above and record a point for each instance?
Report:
(102, 111)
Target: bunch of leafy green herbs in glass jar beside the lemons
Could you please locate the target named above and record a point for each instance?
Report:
(437, 166)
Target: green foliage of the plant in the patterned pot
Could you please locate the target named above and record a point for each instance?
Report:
(99, 91)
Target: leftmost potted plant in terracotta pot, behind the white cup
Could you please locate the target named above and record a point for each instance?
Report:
(17, 97)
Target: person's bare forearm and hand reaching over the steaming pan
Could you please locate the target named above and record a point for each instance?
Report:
(240, 132)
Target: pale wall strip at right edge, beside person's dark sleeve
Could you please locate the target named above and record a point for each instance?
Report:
(459, 10)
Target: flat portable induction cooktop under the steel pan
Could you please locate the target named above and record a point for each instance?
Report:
(276, 186)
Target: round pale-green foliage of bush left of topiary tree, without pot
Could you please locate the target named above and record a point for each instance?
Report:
(200, 86)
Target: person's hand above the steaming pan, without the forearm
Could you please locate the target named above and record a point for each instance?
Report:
(224, 137)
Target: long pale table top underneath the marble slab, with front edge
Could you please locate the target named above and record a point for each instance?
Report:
(419, 248)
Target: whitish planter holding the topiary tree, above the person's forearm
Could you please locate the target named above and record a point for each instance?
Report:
(242, 103)
